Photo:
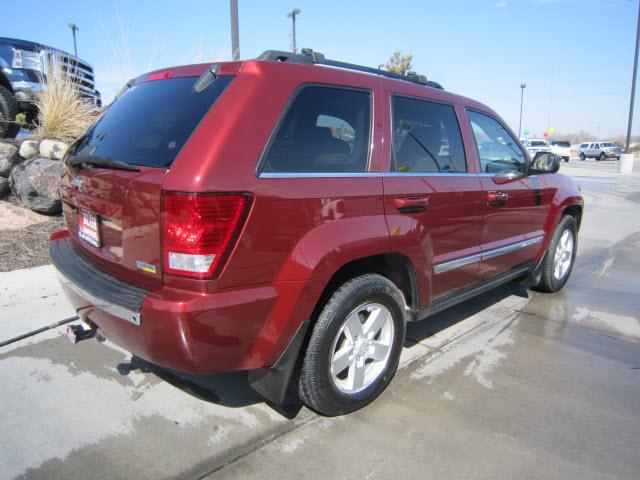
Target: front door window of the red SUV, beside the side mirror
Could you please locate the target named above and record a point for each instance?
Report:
(497, 149)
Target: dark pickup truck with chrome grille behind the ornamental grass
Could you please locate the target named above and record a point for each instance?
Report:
(22, 65)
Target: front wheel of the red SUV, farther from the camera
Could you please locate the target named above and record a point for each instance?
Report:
(560, 256)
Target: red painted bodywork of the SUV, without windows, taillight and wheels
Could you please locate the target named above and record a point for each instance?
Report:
(299, 231)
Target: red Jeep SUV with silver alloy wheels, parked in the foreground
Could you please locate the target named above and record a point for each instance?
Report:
(288, 215)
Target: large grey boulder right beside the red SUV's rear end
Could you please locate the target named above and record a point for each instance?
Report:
(35, 183)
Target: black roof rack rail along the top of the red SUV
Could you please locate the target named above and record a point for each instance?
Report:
(308, 56)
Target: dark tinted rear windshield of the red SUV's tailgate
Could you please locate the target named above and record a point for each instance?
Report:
(150, 123)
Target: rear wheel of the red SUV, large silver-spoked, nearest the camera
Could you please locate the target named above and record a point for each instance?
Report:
(355, 346)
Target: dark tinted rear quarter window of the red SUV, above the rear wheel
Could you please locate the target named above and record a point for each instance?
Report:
(325, 130)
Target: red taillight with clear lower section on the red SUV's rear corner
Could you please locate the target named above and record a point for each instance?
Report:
(198, 231)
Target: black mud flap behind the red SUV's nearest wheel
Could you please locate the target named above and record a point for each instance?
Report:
(272, 382)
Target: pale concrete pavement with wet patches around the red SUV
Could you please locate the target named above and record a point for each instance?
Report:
(511, 384)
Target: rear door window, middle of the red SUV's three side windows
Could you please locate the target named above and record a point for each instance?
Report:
(426, 137)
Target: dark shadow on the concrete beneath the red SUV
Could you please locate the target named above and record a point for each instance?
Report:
(232, 389)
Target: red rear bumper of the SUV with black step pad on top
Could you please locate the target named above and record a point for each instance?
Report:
(198, 332)
